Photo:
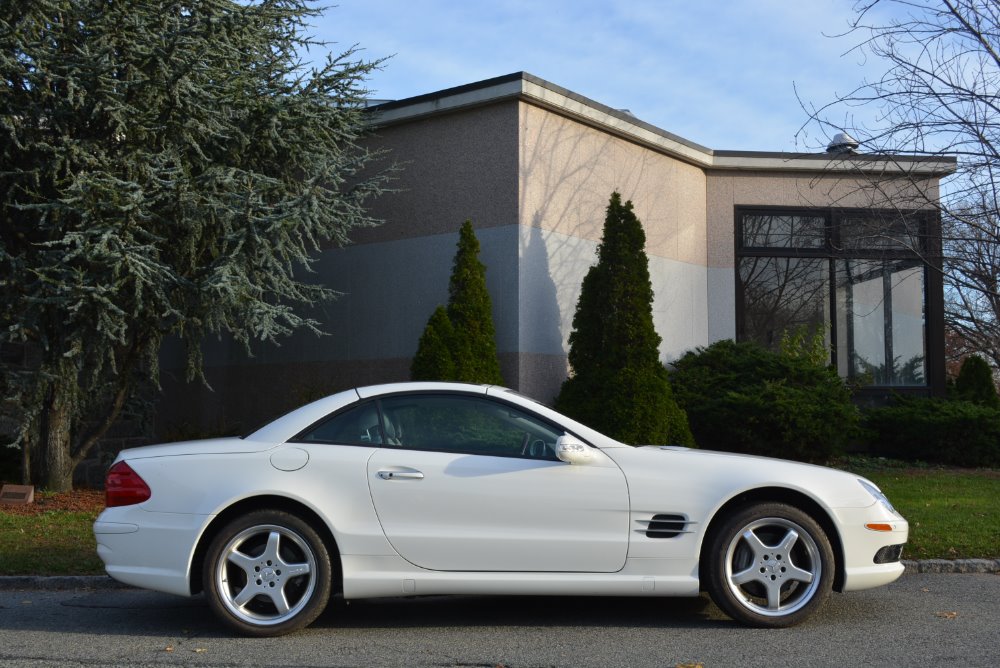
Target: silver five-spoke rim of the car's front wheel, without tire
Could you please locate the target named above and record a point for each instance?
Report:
(773, 567)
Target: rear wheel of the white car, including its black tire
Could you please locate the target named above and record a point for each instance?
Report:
(267, 573)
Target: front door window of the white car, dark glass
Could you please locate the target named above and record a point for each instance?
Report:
(473, 425)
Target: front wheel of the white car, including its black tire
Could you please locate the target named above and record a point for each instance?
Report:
(769, 565)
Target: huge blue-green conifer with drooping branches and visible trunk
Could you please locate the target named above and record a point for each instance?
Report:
(166, 169)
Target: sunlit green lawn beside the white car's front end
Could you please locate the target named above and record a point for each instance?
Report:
(953, 513)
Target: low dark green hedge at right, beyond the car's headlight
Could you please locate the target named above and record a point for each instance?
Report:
(955, 433)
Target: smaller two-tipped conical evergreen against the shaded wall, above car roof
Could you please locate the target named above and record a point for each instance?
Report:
(465, 329)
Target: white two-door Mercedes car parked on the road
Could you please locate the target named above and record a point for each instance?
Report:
(442, 488)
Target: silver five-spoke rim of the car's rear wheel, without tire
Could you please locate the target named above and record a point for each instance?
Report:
(266, 574)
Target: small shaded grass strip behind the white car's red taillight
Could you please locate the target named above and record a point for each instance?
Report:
(51, 543)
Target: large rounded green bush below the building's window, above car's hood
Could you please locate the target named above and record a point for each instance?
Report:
(741, 397)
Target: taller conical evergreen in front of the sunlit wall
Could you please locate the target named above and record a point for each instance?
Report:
(618, 384)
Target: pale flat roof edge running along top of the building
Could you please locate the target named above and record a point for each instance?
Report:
(534, 90)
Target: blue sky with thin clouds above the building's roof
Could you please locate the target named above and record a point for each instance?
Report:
(720, 73)
